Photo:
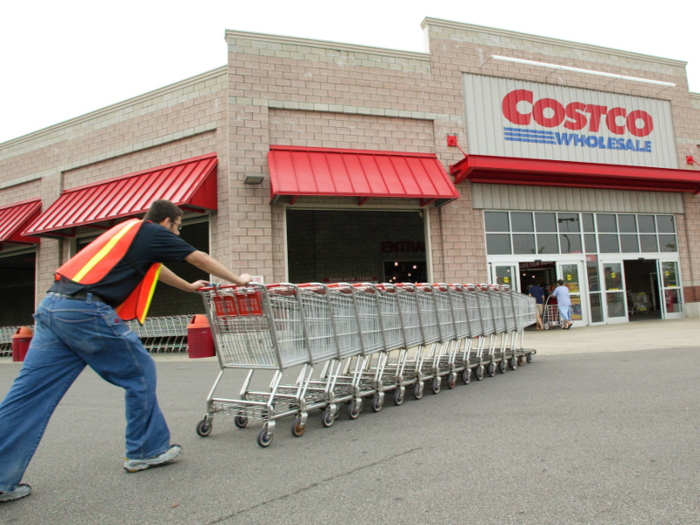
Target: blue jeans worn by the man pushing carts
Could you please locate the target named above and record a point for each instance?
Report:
(69, 335)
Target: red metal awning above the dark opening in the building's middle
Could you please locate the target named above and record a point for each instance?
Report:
(322, 172)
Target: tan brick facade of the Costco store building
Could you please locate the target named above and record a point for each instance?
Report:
(290, 91)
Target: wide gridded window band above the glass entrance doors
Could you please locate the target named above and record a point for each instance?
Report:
(526, 233)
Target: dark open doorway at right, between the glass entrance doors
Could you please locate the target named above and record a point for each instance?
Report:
(643, 292)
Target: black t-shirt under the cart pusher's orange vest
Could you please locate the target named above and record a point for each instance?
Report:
(152, 244)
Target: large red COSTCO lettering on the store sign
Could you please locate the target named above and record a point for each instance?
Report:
(550, 113)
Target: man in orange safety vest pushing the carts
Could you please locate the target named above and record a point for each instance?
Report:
(81, 322)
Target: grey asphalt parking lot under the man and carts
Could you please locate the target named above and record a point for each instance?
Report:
(583, 438)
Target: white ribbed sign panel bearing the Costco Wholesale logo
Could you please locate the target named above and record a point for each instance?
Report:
(513, 118)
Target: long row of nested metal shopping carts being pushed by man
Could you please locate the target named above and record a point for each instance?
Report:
(366, 341)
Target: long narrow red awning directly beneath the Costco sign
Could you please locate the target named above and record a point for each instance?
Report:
(536, 172)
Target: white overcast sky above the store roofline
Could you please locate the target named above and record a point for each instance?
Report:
(62, 59)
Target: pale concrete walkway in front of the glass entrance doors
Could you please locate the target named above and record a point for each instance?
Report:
(640, 335)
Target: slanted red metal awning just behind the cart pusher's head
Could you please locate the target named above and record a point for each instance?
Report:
(191, 184)
